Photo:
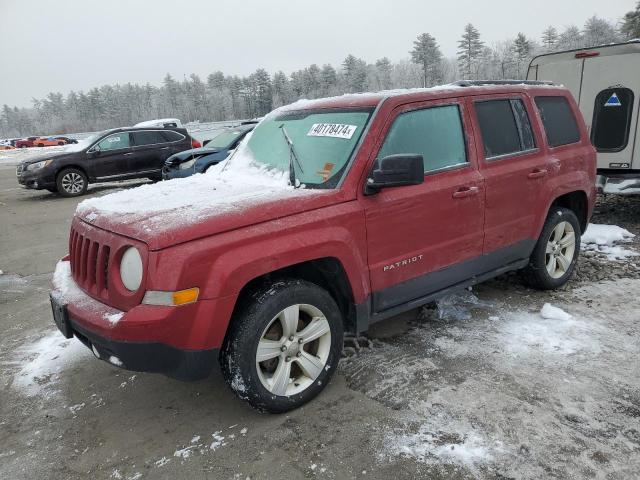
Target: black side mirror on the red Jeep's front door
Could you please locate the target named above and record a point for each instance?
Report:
(396, 171)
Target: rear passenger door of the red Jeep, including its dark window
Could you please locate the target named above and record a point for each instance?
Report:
(514, 166)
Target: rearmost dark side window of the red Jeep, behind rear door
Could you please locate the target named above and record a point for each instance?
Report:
(559, 123)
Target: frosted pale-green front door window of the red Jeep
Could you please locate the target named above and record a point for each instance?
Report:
(436, 133)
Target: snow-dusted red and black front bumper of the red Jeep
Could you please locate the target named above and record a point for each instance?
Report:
(180, 342)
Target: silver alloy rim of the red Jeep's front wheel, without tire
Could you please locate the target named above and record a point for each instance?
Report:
(293, 349)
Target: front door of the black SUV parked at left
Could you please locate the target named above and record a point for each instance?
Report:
(111, 156)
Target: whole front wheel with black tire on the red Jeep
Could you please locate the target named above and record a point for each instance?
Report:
(283, 346)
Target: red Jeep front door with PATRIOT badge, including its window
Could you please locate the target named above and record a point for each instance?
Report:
(424, 238)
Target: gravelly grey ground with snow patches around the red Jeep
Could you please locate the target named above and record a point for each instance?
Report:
(479, 385)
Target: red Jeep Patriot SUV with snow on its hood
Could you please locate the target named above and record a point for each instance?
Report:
(332, 215)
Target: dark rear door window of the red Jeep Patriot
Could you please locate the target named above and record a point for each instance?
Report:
(504, 126)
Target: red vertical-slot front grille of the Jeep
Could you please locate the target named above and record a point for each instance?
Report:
(90, 264)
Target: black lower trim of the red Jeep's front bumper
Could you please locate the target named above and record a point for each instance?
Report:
(150, 357)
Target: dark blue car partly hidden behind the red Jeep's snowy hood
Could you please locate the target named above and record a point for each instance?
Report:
(199, 160)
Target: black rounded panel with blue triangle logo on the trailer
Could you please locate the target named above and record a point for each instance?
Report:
(612, 119)
